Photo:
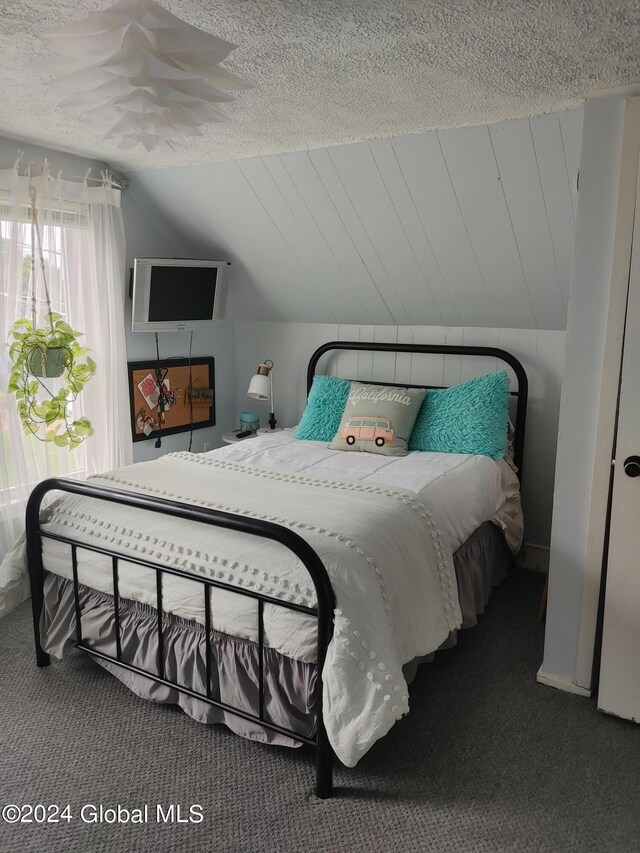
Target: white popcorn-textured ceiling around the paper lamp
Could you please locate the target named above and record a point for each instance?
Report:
(333, 71)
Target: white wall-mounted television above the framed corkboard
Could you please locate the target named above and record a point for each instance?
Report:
(178, 294)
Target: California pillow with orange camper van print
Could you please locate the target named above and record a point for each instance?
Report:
(378, 419)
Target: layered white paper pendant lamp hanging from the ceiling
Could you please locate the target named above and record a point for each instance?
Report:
(146, 76)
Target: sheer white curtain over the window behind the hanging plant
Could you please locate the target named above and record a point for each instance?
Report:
(84, 252)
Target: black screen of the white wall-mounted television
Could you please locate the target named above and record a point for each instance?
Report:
(181, 293)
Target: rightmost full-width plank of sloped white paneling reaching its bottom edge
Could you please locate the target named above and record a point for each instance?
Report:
(520, 180)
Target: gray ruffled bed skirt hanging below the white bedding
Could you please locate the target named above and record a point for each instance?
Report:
(480, 562)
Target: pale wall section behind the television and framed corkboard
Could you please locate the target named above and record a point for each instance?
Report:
(149, 234)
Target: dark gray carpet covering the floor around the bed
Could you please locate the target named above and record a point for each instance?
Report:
(487, 760)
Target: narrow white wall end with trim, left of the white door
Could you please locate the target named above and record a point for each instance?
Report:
(592, 363)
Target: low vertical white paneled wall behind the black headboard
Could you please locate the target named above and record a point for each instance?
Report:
(289, 346)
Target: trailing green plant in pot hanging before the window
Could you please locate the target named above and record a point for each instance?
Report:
(50, 351)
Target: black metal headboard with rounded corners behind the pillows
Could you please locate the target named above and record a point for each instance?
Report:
(490, 352)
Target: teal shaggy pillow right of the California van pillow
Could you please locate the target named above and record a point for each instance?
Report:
(467, 418)
